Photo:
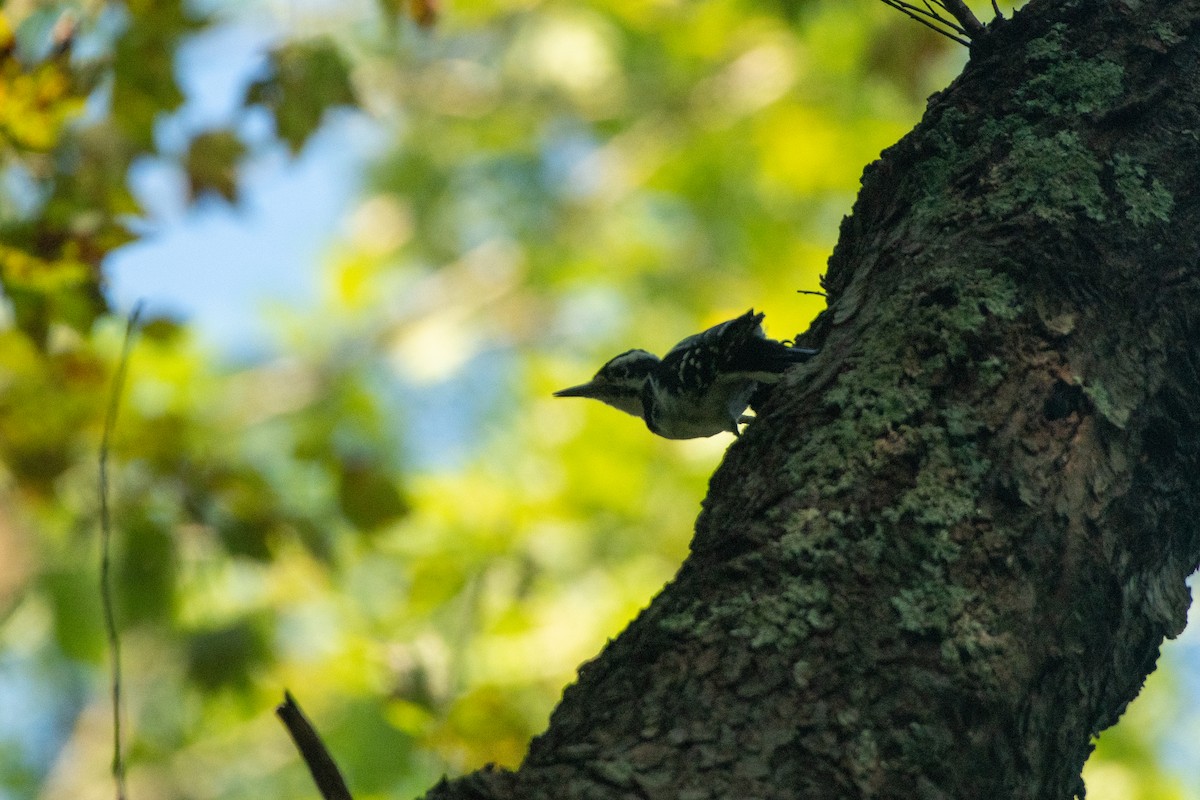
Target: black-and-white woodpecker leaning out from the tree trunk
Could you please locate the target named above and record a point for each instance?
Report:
(703, 387)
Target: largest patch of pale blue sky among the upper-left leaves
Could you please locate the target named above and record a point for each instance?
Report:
(218, 266)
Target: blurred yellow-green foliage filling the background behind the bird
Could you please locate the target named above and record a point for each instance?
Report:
(391, 516)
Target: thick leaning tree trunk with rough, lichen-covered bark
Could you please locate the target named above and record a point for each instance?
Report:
(946, 556)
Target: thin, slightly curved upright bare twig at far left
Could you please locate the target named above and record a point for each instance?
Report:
(106, 538)
